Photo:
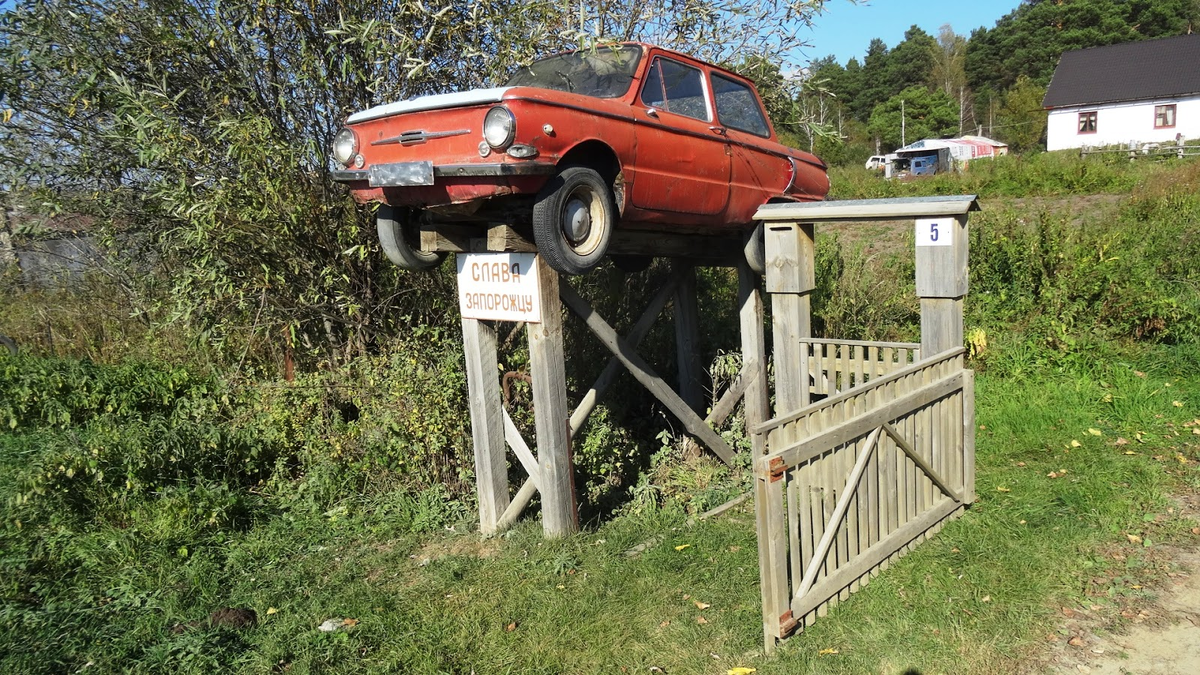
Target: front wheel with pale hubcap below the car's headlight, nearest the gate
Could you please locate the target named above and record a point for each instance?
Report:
(574, 219)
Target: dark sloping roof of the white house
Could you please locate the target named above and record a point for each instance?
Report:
(1133, 71)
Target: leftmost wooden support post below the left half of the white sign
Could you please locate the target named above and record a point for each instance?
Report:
(487, 422)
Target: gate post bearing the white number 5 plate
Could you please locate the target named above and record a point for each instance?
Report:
(941, 282)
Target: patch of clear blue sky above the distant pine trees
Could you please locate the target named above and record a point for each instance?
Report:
(845, 31)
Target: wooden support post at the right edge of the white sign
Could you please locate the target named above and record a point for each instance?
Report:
(560, 515)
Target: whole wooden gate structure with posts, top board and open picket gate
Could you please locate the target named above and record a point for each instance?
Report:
(873, 445)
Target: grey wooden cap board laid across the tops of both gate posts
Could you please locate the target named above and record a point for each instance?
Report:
(859, 211)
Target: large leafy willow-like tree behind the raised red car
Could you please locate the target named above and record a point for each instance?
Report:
(205, 126)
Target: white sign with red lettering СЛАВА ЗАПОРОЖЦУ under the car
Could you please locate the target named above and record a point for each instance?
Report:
(499, 288)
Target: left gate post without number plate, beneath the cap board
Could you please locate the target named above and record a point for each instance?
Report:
(791, 279)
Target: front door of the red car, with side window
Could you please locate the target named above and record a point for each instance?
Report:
(682, 158)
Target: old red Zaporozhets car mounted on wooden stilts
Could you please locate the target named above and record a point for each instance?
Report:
(578, 145)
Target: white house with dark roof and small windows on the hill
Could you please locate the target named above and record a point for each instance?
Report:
(1126, 94)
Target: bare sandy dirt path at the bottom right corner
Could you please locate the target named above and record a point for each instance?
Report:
(1161, 640)
